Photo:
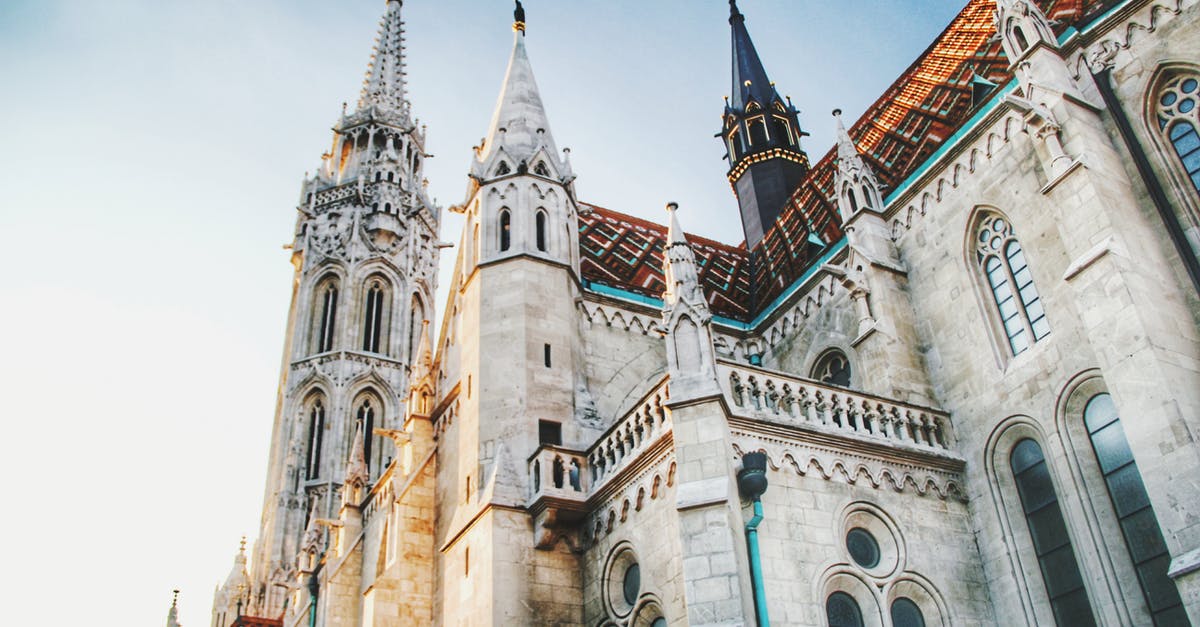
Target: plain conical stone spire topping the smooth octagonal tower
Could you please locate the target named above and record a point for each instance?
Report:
(519, 126)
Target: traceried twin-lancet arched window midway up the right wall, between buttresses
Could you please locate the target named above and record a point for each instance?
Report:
(1009, 277)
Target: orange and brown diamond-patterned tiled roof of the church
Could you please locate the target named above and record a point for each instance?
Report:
(904, 128)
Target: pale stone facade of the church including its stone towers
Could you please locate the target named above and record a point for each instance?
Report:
(568, 452)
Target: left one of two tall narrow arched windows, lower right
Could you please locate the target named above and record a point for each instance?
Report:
(1057, 559)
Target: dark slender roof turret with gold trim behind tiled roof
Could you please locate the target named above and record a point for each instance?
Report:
(763, 138)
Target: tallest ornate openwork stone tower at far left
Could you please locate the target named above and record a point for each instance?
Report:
(365, 255)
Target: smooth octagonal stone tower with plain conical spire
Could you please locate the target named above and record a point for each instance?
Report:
(511, 361)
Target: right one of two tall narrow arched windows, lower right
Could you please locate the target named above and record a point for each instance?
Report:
(1139, 527)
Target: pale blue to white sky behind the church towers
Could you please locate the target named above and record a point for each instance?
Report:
(151, 170)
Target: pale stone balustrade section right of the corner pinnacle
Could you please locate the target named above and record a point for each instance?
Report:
(795, 402)
